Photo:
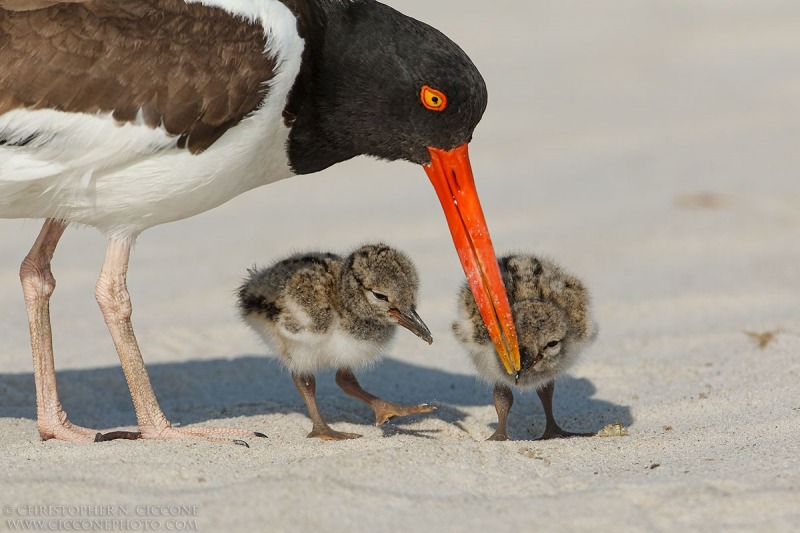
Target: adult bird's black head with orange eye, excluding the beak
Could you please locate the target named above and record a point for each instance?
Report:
(394, 89)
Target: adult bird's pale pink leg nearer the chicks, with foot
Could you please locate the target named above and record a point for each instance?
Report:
(115, 303)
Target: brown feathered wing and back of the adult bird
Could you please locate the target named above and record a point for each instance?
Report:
(195, 69)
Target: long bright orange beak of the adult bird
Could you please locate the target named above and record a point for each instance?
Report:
(451, 176)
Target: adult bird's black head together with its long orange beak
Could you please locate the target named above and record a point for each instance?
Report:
(378, 83)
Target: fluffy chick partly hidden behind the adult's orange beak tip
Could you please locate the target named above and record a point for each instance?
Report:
(552, 311)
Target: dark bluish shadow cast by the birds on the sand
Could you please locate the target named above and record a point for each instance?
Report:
(197, 391)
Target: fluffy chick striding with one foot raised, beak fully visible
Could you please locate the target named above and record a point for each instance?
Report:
(319, 310)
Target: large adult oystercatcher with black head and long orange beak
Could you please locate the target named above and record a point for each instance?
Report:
(125, 114)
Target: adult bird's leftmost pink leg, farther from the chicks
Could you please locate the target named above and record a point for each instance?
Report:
(38, 285)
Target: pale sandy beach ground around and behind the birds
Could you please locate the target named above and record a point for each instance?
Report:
(653, 148)
